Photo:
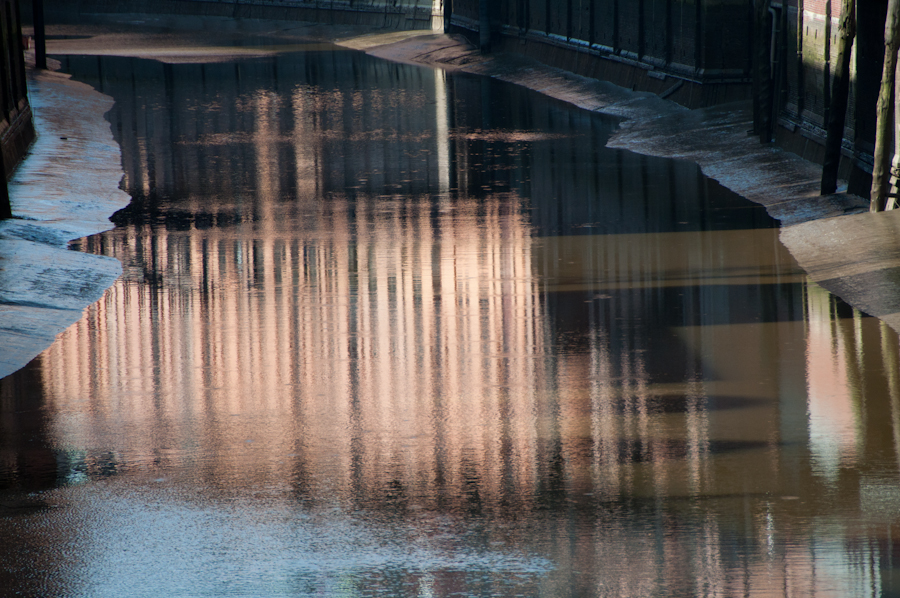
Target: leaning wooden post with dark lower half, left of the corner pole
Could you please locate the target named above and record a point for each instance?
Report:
(840, 92)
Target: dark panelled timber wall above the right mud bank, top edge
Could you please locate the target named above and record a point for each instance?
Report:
(695, 52)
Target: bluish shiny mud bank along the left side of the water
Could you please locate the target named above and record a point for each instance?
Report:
(66, 188)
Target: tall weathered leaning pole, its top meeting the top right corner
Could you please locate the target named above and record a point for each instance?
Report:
(884, 107)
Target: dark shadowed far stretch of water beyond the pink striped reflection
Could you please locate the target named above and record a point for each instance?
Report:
(317, 125)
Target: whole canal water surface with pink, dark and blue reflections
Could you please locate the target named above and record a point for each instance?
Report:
(388, 331)
